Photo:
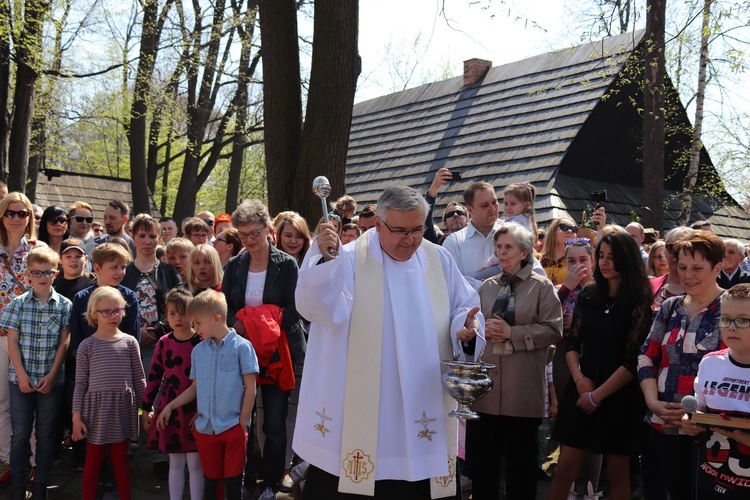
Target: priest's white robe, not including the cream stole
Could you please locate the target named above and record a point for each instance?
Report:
(324, 296)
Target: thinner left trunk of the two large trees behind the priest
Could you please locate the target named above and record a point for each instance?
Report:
(282, 101)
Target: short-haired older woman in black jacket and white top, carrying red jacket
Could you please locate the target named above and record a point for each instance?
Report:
(265, 275)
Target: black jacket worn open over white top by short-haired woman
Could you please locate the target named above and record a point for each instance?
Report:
(279, 287)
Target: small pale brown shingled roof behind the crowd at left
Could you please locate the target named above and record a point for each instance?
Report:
(96, 190)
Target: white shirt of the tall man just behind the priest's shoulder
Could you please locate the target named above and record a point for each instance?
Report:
(471, 249)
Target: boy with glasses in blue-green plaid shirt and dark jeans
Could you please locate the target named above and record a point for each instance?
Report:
(38, 336)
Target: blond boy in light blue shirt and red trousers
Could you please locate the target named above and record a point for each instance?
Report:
(223, 369)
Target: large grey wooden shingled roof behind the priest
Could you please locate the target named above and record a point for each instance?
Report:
(522, 122)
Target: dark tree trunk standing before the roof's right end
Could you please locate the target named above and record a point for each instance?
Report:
(653, 112)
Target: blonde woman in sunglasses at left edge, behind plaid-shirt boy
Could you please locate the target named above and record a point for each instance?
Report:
(17, 239)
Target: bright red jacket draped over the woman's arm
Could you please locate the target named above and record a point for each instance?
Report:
(263, 330)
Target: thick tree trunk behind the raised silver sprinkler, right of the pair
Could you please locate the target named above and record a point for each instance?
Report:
(335, 67)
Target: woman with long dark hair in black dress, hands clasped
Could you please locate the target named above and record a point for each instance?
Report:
(600, 410)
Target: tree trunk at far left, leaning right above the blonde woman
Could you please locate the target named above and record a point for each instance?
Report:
(28, 52)
